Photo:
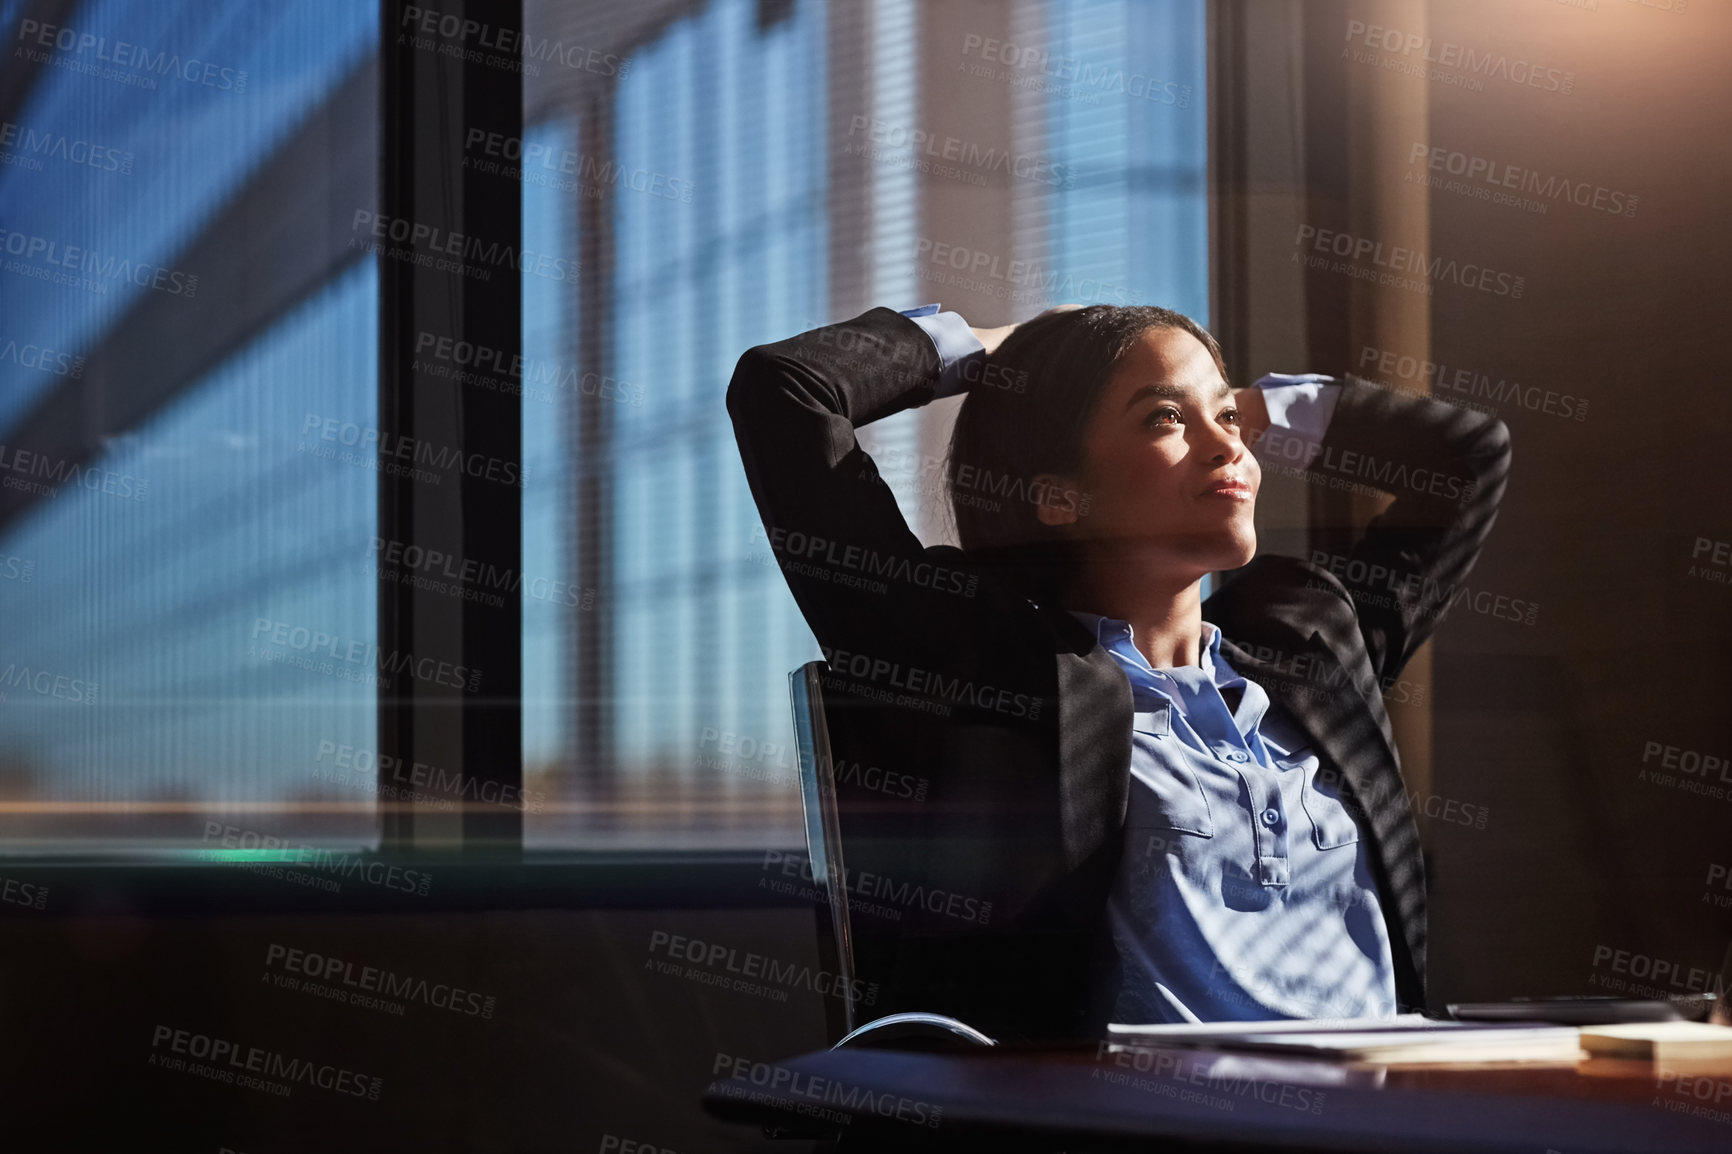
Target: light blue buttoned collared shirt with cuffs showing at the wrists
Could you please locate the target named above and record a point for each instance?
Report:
(1244, 890)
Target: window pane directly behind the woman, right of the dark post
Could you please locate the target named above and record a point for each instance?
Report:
(756, 172)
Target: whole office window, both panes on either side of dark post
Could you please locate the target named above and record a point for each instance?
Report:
(197, 536)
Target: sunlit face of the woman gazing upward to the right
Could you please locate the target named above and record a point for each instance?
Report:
(1170, 481)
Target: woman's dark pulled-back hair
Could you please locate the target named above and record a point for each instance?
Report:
(1028, 417)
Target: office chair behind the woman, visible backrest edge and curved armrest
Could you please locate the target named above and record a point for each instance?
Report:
(824, 850)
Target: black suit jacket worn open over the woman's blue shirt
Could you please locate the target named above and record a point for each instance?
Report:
(983, 739)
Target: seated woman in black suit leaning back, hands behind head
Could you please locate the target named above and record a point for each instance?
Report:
(1135, 803)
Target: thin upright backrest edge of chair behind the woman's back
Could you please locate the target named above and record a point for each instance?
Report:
(824, 841)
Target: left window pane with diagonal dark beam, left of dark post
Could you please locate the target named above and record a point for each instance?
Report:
(184, 585)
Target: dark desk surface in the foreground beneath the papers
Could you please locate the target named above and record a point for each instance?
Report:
(1097, 1098)
